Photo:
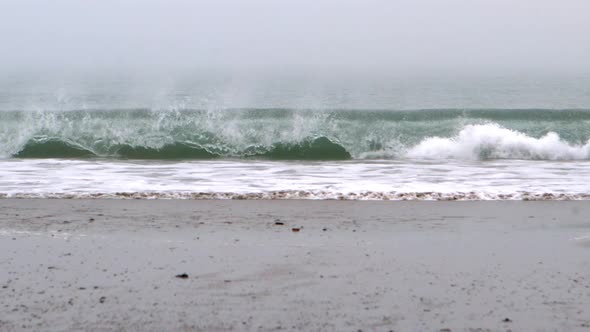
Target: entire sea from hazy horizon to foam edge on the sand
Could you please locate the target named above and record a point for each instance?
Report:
(296, 137)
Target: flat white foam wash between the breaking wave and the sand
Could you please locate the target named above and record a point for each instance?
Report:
(351, 180)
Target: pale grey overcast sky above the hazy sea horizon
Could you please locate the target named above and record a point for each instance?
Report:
(283, 33)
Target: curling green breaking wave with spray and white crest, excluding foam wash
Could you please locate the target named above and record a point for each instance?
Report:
(285, 134)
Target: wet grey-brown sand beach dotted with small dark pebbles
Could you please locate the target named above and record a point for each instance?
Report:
(105, 265)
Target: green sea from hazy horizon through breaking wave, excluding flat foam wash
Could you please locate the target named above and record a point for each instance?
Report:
(295, 115)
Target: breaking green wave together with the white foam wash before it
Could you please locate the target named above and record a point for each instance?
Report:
(296, 154)
